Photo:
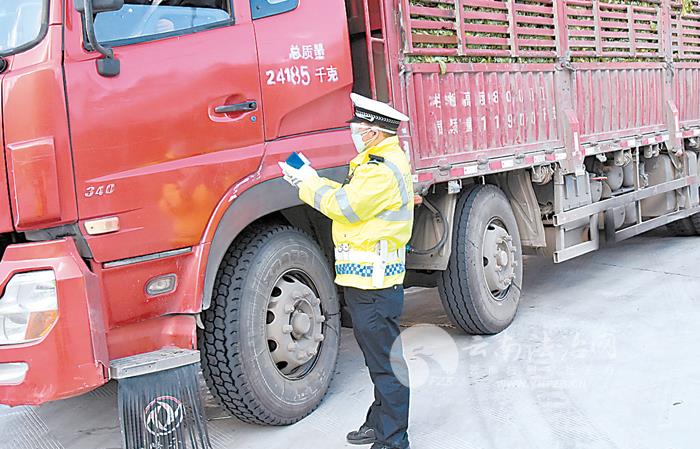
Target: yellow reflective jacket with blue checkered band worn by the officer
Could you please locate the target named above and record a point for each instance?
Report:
(372, 211)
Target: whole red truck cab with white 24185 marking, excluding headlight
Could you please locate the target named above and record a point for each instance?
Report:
(113, 182)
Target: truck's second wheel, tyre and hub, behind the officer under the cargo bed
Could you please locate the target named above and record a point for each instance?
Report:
(480, 289)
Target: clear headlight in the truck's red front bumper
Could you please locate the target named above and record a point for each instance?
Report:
(28, 308)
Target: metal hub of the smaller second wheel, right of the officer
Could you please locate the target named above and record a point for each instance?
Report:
(498, 258)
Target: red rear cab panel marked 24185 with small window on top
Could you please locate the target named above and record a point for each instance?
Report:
(305, 64)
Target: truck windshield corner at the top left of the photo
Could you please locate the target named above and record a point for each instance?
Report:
(20, 24)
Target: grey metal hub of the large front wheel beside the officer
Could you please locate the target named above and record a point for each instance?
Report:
(294, 324)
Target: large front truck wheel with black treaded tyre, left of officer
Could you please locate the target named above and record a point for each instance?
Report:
(271, 336)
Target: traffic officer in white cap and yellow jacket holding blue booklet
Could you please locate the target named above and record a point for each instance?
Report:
(372, 213)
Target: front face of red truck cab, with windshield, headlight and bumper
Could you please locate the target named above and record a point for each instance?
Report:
(52, 308)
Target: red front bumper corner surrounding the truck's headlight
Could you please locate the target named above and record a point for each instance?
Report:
(72, 357)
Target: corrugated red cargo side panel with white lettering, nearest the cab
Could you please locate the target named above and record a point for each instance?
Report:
(482, 111)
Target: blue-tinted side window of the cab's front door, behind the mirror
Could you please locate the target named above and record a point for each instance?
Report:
(140, 20)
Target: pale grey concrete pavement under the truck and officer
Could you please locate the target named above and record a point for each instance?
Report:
(604, 353)
